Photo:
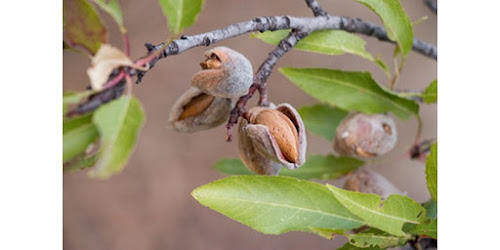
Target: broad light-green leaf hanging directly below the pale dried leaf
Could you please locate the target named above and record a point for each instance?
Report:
(119, 123)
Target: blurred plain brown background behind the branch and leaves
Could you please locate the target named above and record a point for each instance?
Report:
(148, 205)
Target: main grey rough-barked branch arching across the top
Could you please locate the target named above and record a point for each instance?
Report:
(321, 21)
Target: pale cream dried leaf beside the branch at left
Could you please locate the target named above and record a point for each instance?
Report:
(104, 62)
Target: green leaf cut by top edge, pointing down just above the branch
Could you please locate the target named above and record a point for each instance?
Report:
(180, 13)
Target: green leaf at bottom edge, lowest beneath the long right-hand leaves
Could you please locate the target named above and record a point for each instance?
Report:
(368, 238)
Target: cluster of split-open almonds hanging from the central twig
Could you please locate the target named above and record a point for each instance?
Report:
(269, 138)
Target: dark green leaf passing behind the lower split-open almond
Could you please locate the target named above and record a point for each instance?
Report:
(316, 167)
